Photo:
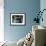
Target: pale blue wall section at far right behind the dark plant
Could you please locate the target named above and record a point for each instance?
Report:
(43, 6)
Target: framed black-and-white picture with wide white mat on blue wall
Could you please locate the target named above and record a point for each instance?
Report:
(17, 19)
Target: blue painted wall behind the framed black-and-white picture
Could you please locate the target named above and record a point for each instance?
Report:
(30, 7)
